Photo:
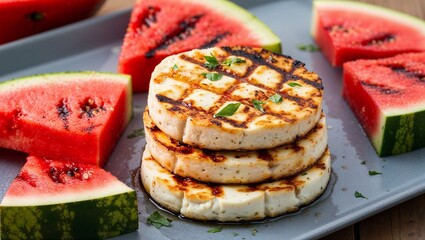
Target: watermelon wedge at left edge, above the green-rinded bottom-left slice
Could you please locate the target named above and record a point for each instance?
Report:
(71, 116)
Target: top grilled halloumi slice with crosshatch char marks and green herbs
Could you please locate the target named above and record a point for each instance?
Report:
(275, 99)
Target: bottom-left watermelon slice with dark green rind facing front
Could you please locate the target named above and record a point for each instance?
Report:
(63, 200)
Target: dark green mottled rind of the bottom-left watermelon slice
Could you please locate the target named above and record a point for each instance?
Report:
(98, 218)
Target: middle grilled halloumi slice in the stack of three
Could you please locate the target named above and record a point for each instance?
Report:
(235, 166)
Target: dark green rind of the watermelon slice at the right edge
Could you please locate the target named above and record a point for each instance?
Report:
(400, 134)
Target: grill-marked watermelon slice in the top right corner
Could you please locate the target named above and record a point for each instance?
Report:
(348, 30)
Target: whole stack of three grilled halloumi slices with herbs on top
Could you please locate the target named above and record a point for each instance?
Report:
(234, 134)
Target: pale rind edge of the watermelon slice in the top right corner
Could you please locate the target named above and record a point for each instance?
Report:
(366, 8)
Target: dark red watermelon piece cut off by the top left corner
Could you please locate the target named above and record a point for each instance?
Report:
(21, 18)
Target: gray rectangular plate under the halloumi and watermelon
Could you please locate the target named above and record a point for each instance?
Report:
(94, 45)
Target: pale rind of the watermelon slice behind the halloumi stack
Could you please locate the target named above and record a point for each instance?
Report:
(268, 40)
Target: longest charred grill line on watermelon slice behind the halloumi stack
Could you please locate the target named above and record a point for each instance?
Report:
(183, 31)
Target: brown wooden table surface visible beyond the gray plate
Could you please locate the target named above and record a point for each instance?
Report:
(404, 221)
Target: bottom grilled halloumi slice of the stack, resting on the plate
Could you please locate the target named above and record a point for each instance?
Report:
(224, 203)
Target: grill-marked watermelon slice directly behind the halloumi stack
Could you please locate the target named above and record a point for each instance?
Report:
(159, 28)
